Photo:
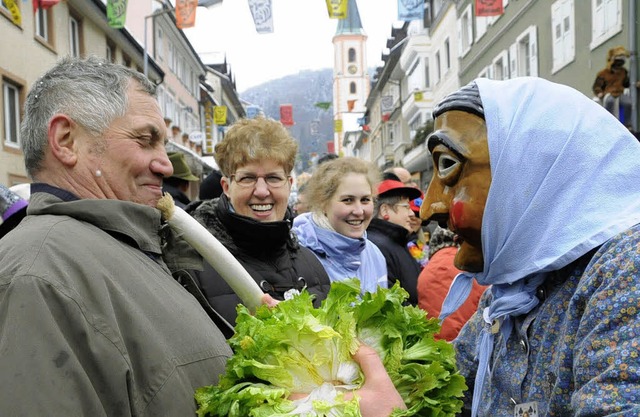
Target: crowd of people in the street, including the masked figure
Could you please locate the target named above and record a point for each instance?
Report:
(527, 250)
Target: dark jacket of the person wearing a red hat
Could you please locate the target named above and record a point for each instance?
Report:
(392, 240)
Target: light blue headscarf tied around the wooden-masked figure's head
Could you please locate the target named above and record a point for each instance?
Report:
(565, 179)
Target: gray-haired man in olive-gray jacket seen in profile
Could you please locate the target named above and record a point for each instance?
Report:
(92, 322)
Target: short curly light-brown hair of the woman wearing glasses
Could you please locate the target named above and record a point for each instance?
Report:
(251, 140)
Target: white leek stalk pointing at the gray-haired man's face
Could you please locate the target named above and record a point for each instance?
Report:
(212, 251)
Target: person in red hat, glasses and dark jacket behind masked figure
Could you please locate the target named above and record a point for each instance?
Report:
(390, 229)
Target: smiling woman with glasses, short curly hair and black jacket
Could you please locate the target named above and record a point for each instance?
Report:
(252, 219)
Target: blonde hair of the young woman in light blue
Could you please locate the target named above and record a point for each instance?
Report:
(327, 177)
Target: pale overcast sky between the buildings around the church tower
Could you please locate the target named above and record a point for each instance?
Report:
(301, 39)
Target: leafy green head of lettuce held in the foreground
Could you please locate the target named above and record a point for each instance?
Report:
(295, 348)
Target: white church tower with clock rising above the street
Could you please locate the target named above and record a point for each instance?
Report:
(351, 84)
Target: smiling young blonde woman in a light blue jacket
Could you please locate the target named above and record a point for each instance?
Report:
(341, 195)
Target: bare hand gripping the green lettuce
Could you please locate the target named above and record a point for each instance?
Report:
(378, 396)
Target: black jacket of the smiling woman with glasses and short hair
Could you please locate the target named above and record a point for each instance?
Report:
(269, 251)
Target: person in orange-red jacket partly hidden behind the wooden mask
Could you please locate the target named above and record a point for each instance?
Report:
(434, 281)
